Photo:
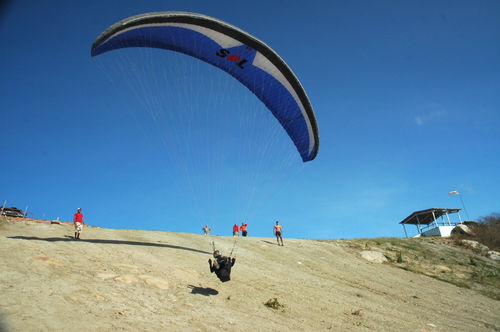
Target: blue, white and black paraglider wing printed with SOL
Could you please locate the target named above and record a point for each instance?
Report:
(238, 53)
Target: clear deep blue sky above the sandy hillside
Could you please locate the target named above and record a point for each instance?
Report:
(406, 94)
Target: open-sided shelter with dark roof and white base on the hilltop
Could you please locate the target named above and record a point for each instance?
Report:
(432, 222)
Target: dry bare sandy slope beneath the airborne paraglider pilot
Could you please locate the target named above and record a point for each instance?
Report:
(158, 281)
